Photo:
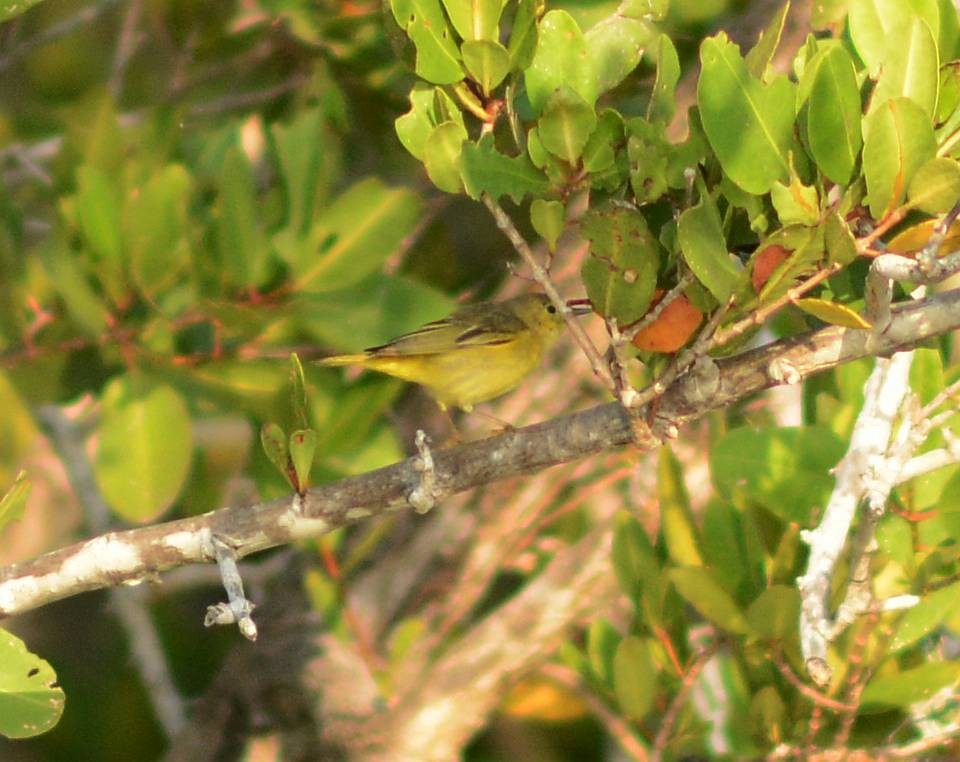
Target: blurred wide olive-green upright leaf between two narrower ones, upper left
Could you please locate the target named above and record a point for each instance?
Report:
(156, 231)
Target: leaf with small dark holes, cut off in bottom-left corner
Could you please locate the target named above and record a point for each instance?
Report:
(31, 702)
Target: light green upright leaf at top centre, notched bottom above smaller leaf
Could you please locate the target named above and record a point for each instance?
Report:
(561, 58)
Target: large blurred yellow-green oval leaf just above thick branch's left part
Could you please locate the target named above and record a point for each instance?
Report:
(145, 448)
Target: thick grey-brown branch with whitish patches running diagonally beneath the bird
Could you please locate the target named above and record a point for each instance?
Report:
(138, 554)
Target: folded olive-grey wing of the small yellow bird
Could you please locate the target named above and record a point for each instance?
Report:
(471, 326)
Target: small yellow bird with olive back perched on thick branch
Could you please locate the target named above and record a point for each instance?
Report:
(477, 353)
